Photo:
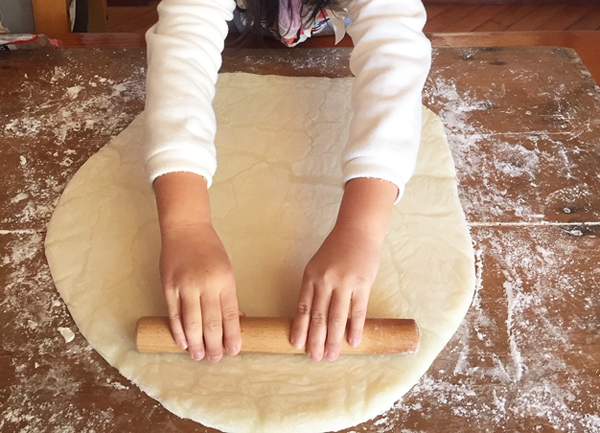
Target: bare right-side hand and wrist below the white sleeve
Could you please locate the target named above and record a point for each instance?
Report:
(338, 278)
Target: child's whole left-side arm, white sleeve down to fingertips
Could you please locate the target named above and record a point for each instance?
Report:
(184, 56)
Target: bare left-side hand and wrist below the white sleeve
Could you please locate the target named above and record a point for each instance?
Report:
(197, 277)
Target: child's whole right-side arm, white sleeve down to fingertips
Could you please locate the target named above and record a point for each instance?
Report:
(390, 60)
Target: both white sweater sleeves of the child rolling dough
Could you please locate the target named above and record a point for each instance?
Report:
(390, 61)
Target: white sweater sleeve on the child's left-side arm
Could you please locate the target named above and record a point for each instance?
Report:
(184, 56)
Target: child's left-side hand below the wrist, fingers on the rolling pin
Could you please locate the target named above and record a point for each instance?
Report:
(199, 288)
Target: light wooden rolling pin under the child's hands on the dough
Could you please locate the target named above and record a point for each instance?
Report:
(271, 335)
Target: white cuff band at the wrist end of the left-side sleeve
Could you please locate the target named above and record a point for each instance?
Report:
(176, 161)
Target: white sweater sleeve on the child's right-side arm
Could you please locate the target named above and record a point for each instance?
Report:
(390, 61)
